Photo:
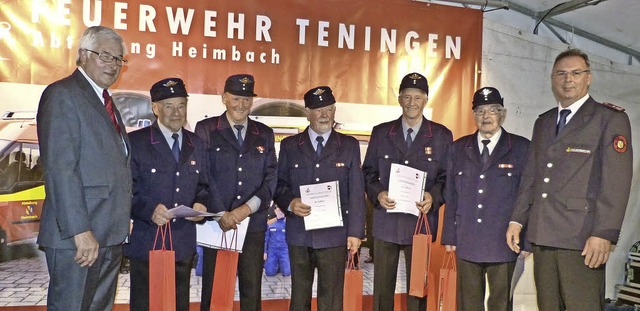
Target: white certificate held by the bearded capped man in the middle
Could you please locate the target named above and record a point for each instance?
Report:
(324, 200)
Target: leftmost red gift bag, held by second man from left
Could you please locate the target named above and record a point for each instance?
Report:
(162, 273)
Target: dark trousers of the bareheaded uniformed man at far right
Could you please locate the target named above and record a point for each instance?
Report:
(563, 281)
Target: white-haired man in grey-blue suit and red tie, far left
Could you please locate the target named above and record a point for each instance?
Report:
(85, 153)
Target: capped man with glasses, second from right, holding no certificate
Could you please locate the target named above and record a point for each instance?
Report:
(483, 174)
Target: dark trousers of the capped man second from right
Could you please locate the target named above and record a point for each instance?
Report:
(471, 284)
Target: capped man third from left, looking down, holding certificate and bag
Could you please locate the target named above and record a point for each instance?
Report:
(242, 160)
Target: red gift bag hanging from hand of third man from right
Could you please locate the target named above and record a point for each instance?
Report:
(420, 257)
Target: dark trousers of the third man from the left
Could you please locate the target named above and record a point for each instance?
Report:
(250, 265)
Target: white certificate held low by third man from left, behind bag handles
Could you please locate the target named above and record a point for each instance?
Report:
(210, 234)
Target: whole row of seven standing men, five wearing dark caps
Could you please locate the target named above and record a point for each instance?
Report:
(567, 189)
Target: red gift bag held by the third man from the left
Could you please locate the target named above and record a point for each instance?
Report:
(224, 278)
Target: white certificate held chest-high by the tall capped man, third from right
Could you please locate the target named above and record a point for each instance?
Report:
(406, 187)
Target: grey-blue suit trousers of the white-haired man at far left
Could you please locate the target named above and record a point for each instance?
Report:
(72, 287)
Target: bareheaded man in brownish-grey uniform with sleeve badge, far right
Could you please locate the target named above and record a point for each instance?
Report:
(574, 190)
